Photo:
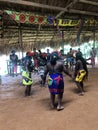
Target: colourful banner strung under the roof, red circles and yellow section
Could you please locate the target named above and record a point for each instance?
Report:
(29, 18)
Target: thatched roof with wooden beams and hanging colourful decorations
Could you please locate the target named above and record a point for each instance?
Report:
(74, 22)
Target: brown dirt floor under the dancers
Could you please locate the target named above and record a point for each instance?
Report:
(34, 113)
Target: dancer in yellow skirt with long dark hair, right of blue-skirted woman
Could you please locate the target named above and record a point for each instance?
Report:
(80, 73)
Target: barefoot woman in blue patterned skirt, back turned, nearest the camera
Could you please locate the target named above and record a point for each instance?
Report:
(55, 80)
